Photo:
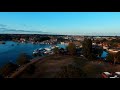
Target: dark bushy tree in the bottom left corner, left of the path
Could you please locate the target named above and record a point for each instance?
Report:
(8, 68)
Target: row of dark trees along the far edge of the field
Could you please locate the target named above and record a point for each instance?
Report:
(87, 50)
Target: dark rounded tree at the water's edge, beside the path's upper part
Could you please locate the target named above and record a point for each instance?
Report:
(23, 59)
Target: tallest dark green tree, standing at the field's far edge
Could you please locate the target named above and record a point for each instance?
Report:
(87, 48)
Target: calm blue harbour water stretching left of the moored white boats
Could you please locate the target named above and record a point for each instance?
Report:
(11, 53)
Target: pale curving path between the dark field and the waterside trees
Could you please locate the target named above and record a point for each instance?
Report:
(23, 67)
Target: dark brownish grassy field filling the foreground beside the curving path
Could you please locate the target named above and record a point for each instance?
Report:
(59, 67)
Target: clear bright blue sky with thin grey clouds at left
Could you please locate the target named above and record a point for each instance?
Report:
(76, 23)
